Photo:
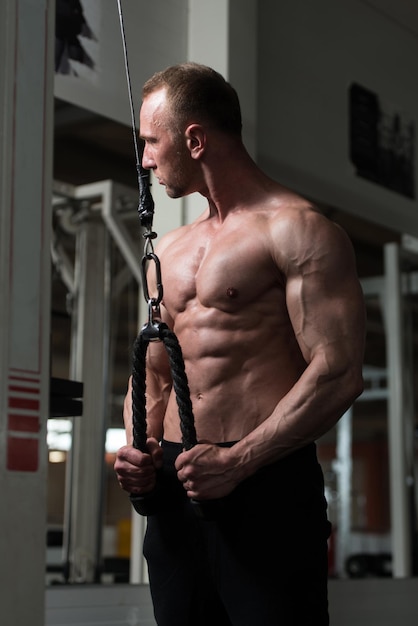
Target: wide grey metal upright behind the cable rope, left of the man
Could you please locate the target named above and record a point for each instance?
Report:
(90, 364)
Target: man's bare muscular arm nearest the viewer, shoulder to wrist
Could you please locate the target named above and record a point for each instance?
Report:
(326, 308)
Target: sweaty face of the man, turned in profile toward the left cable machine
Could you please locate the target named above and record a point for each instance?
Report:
(165, 152)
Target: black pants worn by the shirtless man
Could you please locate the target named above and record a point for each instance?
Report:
(260, 561)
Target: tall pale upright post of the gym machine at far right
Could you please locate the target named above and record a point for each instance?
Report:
(399, 506)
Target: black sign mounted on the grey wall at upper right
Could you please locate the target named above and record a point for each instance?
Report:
(382, 142)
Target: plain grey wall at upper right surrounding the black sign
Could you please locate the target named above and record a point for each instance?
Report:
(309, 54)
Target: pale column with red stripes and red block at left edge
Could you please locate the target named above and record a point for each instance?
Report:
(26, 114)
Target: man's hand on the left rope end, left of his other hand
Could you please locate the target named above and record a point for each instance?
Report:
(135, 470)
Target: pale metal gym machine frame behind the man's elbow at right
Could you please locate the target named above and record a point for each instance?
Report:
(393, 291)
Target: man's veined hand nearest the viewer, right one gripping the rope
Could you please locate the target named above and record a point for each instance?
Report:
(206, 472)
